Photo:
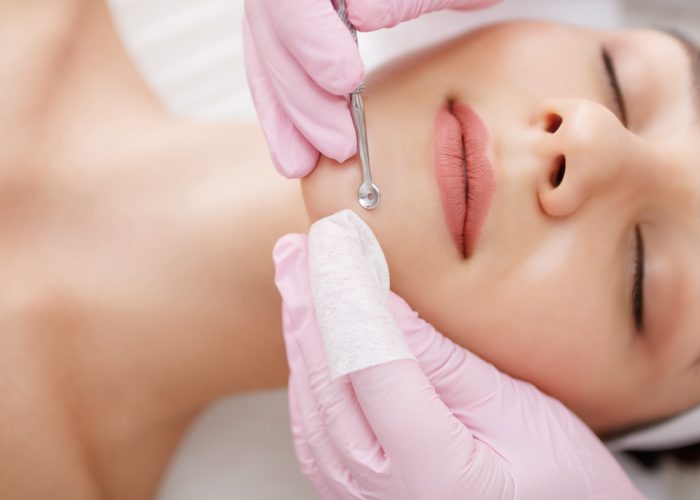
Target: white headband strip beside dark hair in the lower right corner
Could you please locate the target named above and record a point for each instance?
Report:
(682, 430)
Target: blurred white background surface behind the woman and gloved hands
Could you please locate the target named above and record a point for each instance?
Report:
(190, 52)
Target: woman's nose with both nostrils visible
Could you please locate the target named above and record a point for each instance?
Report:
(583, 149)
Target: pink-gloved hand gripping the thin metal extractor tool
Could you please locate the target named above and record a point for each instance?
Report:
(301, 62)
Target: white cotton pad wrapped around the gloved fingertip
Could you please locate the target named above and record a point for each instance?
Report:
(349, 280)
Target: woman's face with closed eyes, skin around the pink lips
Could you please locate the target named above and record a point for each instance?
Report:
(586, 188)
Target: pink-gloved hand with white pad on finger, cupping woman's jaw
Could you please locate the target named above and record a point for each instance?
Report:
(448, 425)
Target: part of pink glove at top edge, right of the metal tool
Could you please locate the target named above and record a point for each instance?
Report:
(370, 15)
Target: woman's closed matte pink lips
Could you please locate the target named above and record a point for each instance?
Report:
(466, 196)
